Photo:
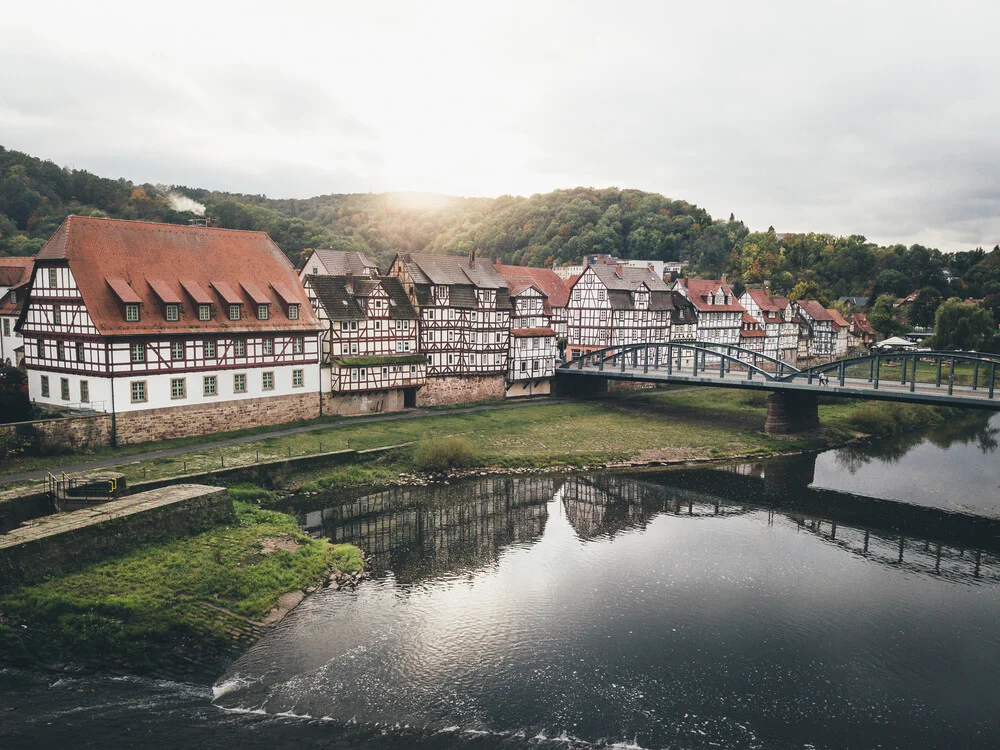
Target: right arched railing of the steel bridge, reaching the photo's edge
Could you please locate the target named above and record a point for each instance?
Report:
(977, 370)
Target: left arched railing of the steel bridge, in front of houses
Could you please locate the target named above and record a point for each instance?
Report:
(684, 358)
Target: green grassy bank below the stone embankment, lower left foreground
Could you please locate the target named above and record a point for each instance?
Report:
(175, 608)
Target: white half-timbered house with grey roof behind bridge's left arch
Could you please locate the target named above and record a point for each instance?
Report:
(617, 305)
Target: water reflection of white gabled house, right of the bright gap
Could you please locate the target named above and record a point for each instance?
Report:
(603, 505)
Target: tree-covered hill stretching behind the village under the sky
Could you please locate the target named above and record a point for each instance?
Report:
(553, 228)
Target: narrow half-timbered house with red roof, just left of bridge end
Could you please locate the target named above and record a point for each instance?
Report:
(533, 351)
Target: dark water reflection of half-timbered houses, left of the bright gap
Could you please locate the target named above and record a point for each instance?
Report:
(418, 531)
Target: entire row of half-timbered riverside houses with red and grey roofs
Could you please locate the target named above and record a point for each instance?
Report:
(180, 330)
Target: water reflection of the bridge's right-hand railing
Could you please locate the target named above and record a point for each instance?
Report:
(919, 556)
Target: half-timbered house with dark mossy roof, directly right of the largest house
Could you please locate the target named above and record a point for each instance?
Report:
(369, 339)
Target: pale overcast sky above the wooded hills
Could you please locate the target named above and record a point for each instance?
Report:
(876, 118)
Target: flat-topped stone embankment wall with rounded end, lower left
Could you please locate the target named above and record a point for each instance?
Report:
(65, 541)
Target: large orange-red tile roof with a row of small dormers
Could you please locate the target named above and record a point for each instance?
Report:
(185, 261)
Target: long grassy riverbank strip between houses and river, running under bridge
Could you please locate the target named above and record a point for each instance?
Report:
(666, 425)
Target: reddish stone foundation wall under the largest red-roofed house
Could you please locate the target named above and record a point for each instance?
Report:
(202, 419)
